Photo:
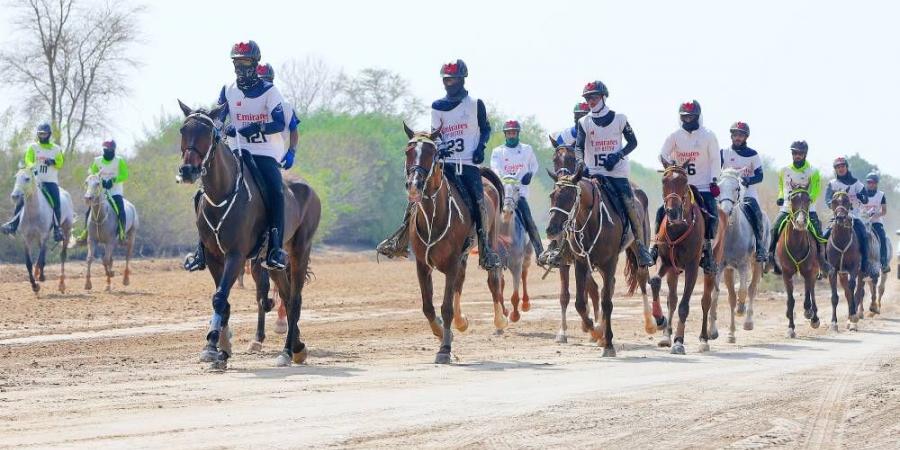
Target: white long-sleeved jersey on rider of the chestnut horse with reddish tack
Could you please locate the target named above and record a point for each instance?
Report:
(699, 150)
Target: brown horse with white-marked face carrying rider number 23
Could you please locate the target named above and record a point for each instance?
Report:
(441, 234)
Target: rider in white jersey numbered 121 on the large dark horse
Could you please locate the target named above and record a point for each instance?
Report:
(254, 107)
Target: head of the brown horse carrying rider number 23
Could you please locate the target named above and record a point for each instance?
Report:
(421, 162)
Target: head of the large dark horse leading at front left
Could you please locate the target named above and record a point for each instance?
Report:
(199, 136)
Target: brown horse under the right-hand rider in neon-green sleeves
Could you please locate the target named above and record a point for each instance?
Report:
(797, 253)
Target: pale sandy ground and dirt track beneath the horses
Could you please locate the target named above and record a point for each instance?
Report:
(120, 369)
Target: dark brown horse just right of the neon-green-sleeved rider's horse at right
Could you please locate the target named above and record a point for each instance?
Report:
(844, 256)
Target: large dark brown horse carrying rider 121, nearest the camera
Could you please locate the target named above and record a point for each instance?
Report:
(231, 222)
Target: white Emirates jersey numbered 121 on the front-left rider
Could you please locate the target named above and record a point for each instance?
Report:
(244, 110)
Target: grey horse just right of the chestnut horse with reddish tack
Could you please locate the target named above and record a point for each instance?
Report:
(739, 252)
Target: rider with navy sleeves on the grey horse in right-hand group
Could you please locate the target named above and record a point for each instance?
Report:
(745, 159)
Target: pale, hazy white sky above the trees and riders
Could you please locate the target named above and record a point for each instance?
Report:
(823, 71)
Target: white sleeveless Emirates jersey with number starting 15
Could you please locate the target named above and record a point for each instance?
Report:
(599, 142)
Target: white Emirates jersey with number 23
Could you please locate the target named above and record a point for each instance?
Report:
(460, 132)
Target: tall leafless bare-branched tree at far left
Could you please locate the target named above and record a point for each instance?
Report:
(71, 62)
